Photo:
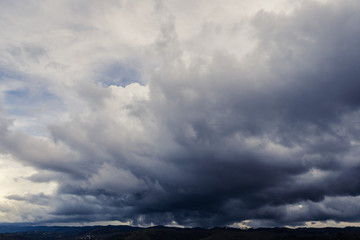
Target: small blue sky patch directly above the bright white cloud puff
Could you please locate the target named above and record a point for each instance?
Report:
(119, 74)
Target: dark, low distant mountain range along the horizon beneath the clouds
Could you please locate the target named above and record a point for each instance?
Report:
(13, 232)
